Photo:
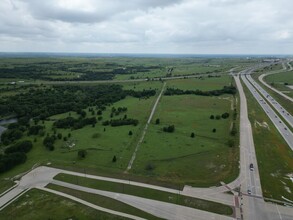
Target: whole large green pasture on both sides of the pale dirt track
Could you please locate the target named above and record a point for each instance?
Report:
(177, 152)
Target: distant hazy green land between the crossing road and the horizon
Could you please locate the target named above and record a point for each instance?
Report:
(75, 68)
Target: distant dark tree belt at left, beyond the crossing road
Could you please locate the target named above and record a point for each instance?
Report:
(85, 71)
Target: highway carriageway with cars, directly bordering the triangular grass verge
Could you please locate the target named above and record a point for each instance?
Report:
(277, 121)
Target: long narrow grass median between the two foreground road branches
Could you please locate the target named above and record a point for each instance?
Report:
(147, 193)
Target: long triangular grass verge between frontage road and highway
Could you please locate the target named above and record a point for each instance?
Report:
(275, 158)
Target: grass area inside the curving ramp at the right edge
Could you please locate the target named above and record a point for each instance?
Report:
(278, 81)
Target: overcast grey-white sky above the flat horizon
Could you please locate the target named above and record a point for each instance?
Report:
(147, 26)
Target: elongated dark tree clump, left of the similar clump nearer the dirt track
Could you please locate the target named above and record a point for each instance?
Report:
(73, 123)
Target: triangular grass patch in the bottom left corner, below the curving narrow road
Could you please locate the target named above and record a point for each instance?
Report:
(37, 204)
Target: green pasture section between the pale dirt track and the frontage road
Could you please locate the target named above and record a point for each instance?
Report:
(204, 160)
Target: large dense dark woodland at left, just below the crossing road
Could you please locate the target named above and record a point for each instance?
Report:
(44, 102)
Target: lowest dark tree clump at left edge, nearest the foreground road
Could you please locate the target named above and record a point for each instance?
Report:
(14, 155)
